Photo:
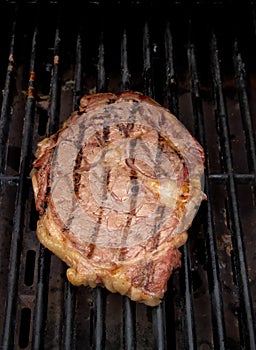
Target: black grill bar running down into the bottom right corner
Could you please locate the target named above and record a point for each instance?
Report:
(246, 322)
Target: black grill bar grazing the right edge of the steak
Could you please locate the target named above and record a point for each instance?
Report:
(216, 299)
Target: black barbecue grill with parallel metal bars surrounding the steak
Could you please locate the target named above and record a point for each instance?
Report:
(196, 59)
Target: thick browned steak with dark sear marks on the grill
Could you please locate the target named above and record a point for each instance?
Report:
(116, 189)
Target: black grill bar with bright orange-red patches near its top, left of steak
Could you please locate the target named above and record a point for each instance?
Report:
(11, 305)
